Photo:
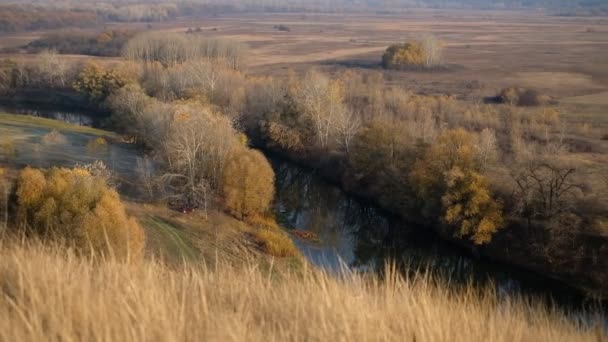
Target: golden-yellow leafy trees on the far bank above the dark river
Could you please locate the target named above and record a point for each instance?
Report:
(451, 187)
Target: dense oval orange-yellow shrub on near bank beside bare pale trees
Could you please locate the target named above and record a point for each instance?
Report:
(248, 183)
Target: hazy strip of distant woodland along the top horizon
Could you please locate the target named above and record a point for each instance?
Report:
(87, 13)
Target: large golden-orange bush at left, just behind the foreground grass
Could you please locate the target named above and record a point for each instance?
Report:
(74, 207)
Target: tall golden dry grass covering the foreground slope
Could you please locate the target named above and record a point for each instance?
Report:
(49, 294)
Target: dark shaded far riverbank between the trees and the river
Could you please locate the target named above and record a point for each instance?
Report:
(505, 248)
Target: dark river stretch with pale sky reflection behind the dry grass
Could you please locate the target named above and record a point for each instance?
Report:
(362, 237)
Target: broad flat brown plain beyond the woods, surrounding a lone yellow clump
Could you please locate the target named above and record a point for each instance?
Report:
(485, 50)
